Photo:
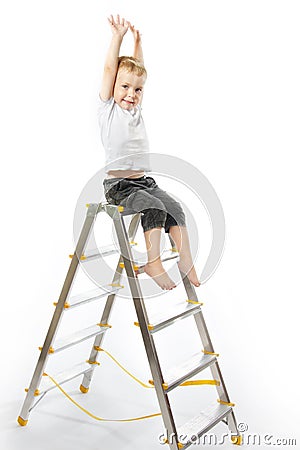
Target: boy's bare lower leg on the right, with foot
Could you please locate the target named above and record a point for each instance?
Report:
(180, 236)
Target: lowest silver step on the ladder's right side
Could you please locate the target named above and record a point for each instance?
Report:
(199, 425)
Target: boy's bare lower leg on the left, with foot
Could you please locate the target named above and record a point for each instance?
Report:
(154, 267)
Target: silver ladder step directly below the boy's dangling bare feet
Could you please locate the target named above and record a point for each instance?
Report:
(178, 312)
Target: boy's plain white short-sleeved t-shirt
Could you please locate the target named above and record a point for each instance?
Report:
(123, 137)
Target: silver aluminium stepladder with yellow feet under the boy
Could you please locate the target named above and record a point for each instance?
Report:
(175, 436)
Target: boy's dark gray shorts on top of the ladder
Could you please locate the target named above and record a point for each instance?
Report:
(143, 195)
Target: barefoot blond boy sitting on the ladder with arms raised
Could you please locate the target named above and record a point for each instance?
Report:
(125, 142)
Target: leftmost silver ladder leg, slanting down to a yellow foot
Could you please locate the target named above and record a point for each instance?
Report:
(38, 372)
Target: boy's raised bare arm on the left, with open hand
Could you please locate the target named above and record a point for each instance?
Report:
(119, 28)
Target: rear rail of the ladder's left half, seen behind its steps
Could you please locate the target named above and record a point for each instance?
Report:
(84, 387)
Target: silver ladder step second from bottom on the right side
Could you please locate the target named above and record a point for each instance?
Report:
(195, 364)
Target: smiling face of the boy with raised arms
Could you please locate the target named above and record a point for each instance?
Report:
(128, 90)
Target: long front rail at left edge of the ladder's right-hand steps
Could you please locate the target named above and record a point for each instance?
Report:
(146, 335)
